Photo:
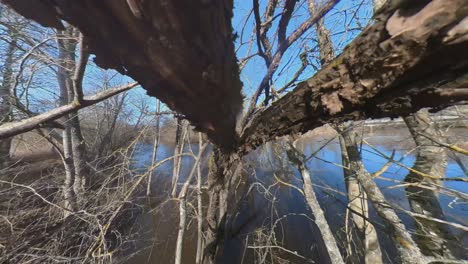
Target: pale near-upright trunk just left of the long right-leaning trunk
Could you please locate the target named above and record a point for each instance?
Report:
(358, 202)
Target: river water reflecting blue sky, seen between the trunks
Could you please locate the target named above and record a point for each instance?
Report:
(274, 211)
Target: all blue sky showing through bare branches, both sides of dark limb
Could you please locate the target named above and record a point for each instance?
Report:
(343, 21)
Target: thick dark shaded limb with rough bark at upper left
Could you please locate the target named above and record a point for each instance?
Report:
(179, 51)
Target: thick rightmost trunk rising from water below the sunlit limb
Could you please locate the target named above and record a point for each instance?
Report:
(434, 239)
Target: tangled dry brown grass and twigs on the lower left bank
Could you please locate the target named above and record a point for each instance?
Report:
(33, 228)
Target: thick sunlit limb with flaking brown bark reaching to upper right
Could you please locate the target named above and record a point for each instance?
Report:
(410, 58)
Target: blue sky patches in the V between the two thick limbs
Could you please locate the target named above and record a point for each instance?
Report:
(343, 22)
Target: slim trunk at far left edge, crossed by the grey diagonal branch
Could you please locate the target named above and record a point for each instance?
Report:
(5, 101)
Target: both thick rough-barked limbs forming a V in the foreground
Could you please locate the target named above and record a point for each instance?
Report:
(413, 56)
